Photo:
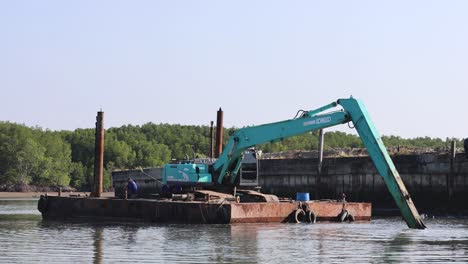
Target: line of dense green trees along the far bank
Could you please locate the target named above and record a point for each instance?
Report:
(32, 155)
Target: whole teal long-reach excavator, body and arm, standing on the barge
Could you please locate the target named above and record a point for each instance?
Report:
(225, 170)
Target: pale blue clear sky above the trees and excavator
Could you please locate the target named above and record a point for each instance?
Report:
(178, 62)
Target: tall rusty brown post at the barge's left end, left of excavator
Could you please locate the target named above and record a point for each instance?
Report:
(98, 155)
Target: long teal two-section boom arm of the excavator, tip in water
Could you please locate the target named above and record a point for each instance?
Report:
(228, 163)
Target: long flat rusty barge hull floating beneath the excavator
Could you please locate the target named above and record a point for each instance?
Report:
(193, 212)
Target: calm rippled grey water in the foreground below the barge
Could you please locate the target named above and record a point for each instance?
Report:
(25, 238)
